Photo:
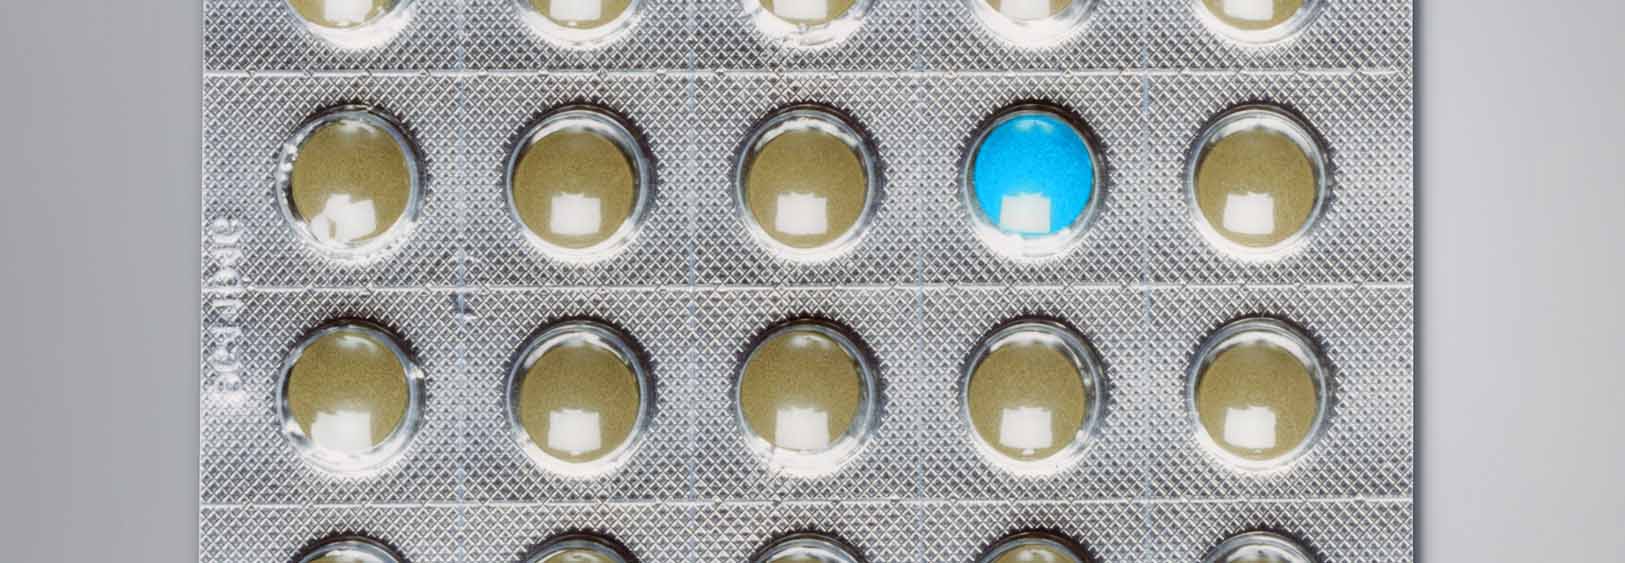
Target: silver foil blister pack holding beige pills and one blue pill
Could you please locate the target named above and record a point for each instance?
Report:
(808, 281)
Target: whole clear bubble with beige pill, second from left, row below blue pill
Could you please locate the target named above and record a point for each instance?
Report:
(581, 399)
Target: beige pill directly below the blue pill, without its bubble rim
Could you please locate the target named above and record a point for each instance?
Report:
(1026, 396)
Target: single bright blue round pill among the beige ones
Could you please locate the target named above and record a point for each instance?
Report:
(1034, 175)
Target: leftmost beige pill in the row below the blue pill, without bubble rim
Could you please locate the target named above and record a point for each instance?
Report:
(349, 390)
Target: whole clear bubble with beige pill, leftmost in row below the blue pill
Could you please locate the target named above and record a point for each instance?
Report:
(350, 396)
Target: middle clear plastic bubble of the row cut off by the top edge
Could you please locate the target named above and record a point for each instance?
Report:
(807, 24)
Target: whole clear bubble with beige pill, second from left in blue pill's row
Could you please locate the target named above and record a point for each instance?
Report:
(579, 183)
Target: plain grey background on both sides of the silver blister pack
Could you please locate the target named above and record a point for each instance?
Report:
(1520, 255)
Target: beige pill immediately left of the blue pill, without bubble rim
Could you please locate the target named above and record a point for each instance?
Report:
(805, 186)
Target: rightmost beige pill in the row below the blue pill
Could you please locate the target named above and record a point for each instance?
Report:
(1257, 398)
